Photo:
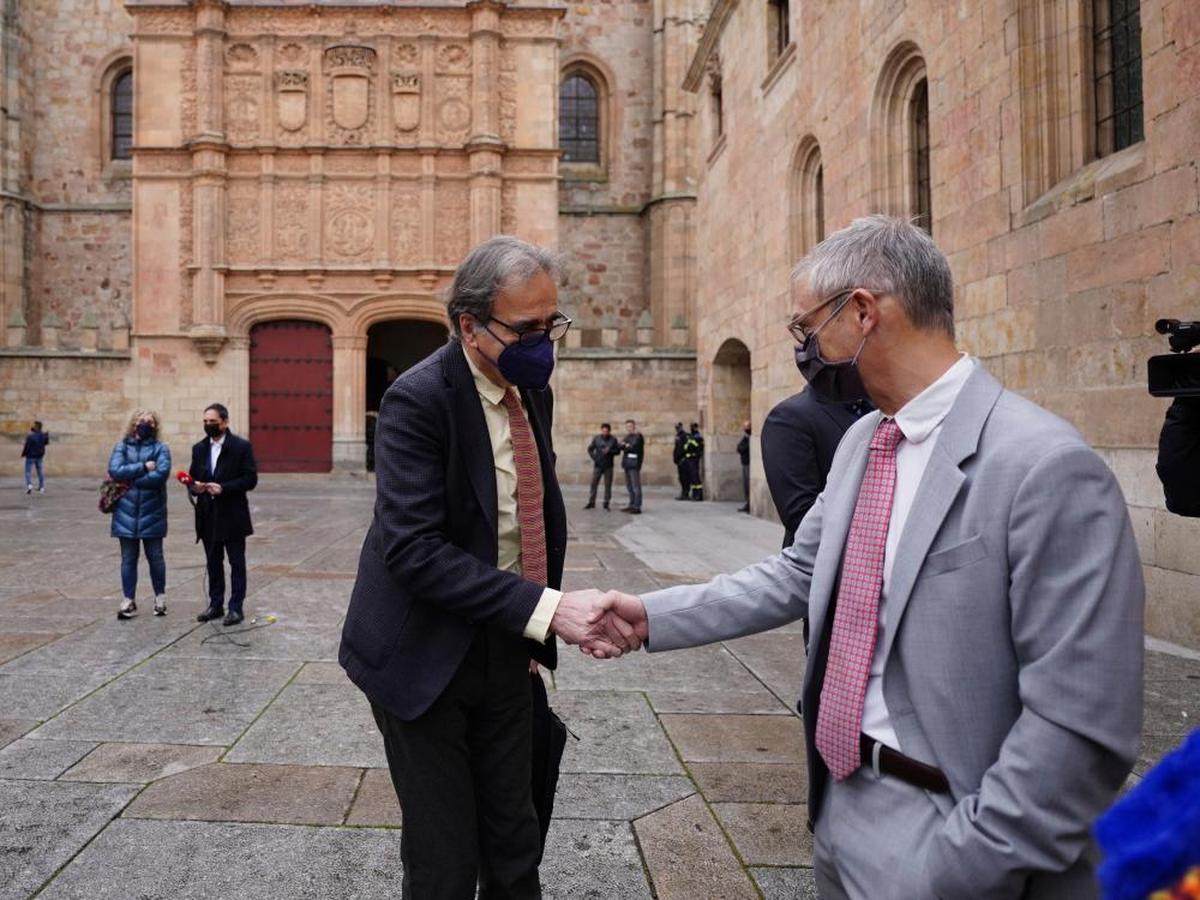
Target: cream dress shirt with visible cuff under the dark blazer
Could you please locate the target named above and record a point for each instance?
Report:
(508, 530)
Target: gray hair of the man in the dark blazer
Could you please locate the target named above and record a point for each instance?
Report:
(495, 266)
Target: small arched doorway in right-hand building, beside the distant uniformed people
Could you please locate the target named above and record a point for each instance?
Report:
(730, 407)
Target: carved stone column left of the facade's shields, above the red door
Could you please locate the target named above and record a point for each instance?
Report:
(209, 175)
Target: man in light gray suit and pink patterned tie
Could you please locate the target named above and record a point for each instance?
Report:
(973, 700)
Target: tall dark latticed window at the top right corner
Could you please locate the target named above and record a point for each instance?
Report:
(1117, 44)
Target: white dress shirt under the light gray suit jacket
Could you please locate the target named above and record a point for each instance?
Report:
(921, 422)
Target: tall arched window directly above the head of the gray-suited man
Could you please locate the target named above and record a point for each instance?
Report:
(902, 177)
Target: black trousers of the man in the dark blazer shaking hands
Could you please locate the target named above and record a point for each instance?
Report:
(463, 775)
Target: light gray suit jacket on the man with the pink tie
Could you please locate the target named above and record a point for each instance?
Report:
(1015, 653)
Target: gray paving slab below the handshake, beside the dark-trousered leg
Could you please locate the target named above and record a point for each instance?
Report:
(617, 733)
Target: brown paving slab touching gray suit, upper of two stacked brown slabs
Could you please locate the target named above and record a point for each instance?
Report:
(736, 739)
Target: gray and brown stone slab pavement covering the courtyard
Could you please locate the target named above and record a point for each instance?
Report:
(164, 759)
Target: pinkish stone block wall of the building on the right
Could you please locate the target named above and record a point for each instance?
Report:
(1064, 259)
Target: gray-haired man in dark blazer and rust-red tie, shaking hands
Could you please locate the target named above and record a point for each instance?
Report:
(458, 580)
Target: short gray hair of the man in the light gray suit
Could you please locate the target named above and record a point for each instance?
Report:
(885, 255)
